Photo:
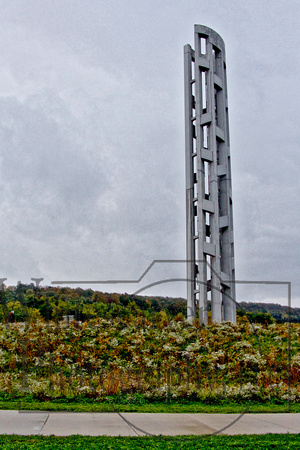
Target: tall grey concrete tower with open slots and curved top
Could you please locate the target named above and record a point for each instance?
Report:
(209, 221)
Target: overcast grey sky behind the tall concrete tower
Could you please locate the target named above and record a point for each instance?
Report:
(92, 138)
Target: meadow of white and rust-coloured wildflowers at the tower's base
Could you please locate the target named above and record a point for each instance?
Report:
(135, 362)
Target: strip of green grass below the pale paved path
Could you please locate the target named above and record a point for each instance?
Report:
(260, 442)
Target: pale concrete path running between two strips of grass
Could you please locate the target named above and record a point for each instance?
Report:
(138, 424)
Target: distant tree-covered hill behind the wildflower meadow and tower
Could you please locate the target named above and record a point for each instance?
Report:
(52, 303)
